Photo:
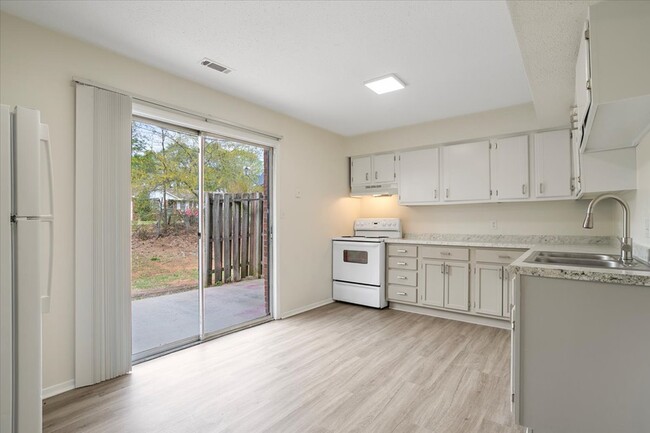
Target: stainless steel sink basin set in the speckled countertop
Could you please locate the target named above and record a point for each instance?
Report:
(588, 260)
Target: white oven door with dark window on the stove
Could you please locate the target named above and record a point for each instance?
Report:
(358, 262)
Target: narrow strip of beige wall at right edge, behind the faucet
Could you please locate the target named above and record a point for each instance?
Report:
(639, 200)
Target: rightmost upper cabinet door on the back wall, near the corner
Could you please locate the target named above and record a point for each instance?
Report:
(553, 164)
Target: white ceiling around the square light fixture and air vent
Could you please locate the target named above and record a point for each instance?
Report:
(309, 59)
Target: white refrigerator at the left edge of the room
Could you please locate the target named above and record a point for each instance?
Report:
(26, 235)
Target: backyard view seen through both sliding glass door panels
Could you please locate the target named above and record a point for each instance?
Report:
(165, 222)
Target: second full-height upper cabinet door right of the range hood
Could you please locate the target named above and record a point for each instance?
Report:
(466, 171)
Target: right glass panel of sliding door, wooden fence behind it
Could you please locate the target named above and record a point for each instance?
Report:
(235, 233)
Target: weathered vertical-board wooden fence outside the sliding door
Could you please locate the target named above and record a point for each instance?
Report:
(233, 237)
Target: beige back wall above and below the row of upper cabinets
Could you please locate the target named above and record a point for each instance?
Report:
(537, 218)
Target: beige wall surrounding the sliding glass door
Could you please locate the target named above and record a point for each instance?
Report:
(36, 69)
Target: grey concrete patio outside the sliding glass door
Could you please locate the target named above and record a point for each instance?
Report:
(164, 319)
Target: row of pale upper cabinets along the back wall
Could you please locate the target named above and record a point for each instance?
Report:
(529, 166)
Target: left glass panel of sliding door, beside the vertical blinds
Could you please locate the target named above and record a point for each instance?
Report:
(164, 241)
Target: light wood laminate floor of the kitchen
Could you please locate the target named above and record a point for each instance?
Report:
(339, 368)
